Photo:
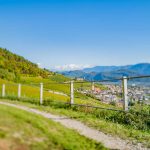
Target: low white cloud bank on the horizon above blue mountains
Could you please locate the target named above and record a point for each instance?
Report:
(70, 67)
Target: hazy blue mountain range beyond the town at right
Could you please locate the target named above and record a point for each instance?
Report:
(110, 72)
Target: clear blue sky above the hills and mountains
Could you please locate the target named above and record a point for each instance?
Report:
(78, 32)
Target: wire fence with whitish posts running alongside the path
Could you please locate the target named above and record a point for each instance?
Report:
(120, 93)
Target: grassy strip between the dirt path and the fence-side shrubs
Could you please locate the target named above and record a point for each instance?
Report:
(91, 120)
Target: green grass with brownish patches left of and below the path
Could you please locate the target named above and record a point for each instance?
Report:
(27, 131)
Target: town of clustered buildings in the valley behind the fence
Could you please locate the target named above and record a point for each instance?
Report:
(113, 94)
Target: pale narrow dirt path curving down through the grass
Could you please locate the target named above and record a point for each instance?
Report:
(107, 140)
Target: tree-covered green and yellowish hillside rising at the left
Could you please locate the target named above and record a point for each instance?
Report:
(13, 67)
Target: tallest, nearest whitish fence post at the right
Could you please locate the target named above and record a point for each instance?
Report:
(125, 92)
